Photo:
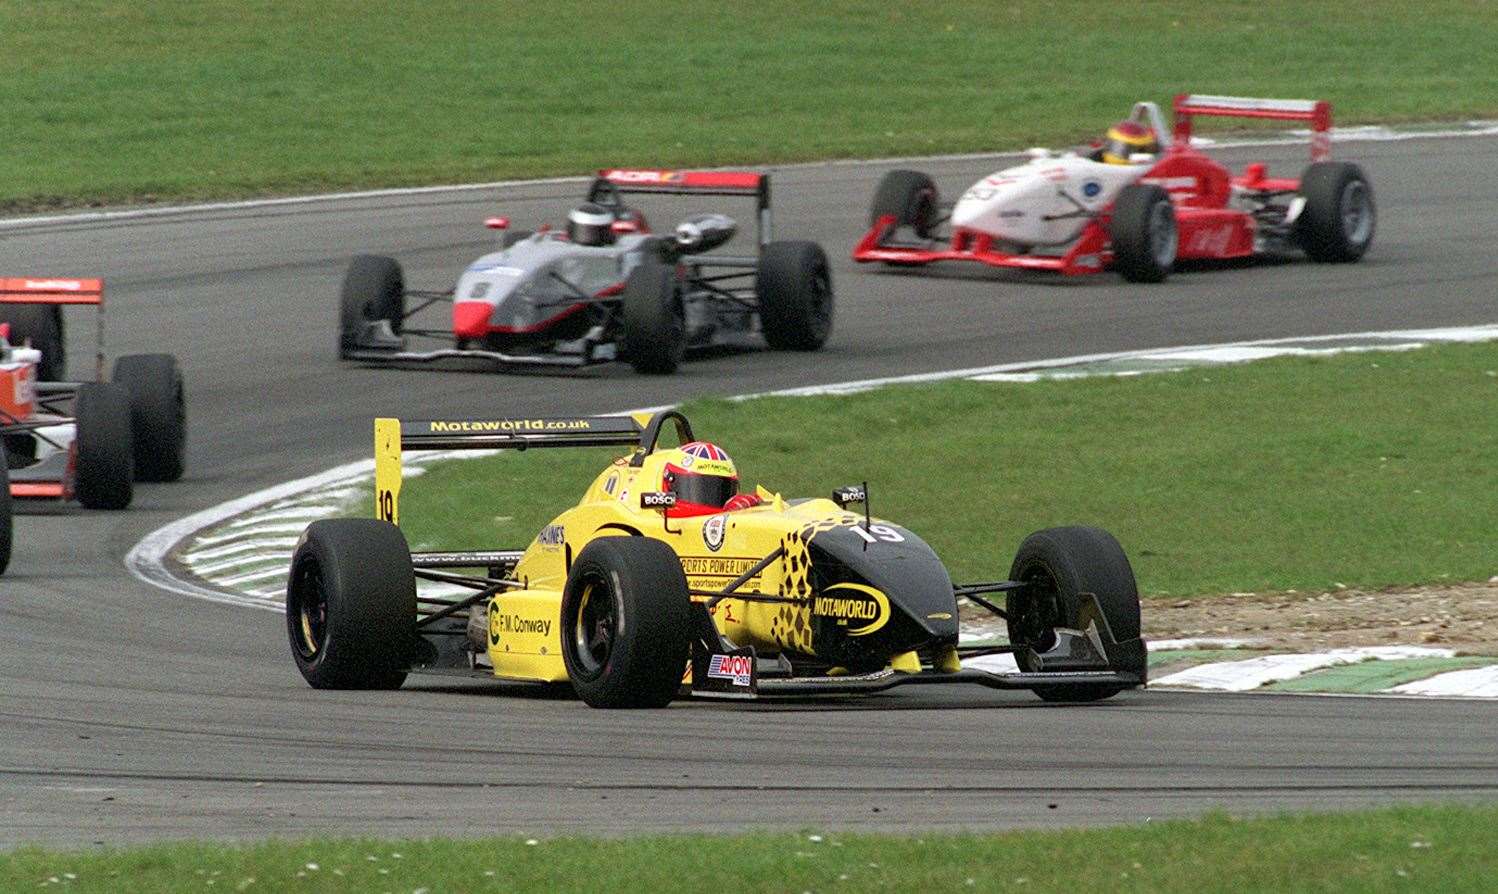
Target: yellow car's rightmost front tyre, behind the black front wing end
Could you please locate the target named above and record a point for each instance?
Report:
(1058, 565)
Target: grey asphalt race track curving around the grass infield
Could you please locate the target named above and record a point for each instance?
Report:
(133, 715)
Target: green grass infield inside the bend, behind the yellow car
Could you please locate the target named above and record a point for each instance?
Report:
(1368, 469)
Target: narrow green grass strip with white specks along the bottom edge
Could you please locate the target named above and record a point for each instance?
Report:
(1397, 850)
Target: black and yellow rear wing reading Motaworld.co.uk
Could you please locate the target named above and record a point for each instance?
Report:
(392, 437)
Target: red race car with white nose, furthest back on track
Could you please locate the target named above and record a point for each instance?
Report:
(1076, 215)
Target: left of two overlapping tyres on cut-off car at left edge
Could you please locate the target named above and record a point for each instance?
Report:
(106, 472)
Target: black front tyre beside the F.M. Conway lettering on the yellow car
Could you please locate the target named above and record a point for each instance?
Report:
(627, 624)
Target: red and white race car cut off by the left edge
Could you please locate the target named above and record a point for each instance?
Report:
(82, 441)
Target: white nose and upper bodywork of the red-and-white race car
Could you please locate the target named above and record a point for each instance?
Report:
(1052, 197)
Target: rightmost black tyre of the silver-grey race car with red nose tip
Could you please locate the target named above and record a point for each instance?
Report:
(795, 285)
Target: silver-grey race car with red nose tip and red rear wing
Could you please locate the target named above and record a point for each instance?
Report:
(548, 299)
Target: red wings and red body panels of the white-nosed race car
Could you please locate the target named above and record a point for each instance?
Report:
(1199, 189)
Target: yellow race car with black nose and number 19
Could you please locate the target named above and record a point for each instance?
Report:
(666, 580)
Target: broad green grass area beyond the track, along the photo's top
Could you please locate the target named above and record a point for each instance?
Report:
(109, 101)
